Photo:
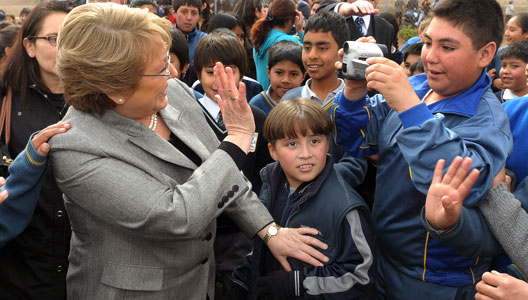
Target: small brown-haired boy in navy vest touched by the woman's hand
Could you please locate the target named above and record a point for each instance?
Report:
(303, 188)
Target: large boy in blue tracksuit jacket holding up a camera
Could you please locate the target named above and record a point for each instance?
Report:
(449, 111)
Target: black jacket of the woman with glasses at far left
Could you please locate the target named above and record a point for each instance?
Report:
(34, 264)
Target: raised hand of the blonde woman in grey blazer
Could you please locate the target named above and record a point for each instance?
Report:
(236, 113)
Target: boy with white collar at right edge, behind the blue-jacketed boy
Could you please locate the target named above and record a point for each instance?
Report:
(512, 72)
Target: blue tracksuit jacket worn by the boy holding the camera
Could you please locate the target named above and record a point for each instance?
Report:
(472, 124)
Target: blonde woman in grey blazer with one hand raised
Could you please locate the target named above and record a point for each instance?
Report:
(143, 175)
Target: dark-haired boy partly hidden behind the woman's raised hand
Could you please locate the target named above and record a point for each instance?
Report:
(230, 245)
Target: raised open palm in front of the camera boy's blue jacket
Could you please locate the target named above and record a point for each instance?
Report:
(446, 194)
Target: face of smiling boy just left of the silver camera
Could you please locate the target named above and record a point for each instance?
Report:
(319, 54)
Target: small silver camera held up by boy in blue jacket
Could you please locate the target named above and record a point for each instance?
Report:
(355, 56)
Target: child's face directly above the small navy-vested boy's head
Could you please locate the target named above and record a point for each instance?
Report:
(284, 76)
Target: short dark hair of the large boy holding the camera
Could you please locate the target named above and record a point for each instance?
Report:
(480, 20)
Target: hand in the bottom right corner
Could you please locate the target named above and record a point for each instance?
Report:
(495, 285)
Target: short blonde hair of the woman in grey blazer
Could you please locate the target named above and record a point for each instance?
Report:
(103, 48)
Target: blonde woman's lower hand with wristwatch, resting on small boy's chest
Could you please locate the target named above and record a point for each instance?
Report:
(296, 243)
